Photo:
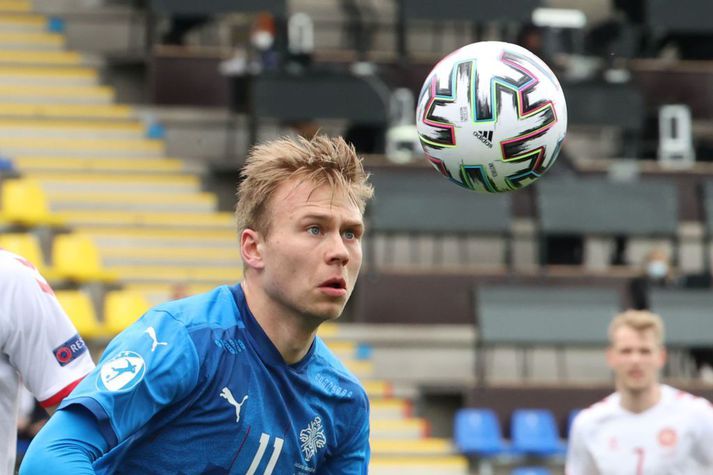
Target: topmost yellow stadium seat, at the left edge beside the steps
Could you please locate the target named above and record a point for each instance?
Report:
(24, 202)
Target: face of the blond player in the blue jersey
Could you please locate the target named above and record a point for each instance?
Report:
(312, 252)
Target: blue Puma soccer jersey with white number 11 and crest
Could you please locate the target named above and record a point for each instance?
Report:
(195, 386)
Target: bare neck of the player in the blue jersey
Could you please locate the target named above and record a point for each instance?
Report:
(291, 334)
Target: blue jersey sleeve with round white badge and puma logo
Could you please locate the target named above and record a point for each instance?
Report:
(150, 365)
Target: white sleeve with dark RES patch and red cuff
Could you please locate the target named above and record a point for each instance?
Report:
(37, 336)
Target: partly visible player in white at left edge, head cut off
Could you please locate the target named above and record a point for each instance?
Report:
(39, 347)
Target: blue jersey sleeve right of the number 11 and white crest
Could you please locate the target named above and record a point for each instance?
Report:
(353, 456)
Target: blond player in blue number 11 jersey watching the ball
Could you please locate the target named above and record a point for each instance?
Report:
(235, 380)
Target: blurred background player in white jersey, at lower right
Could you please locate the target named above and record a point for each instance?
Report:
(645, 427)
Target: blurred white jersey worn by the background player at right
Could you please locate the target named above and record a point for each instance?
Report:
(674, 437)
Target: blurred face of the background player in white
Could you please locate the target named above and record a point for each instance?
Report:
(636, 358)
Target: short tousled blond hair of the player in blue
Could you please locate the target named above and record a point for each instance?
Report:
(321, 160)
